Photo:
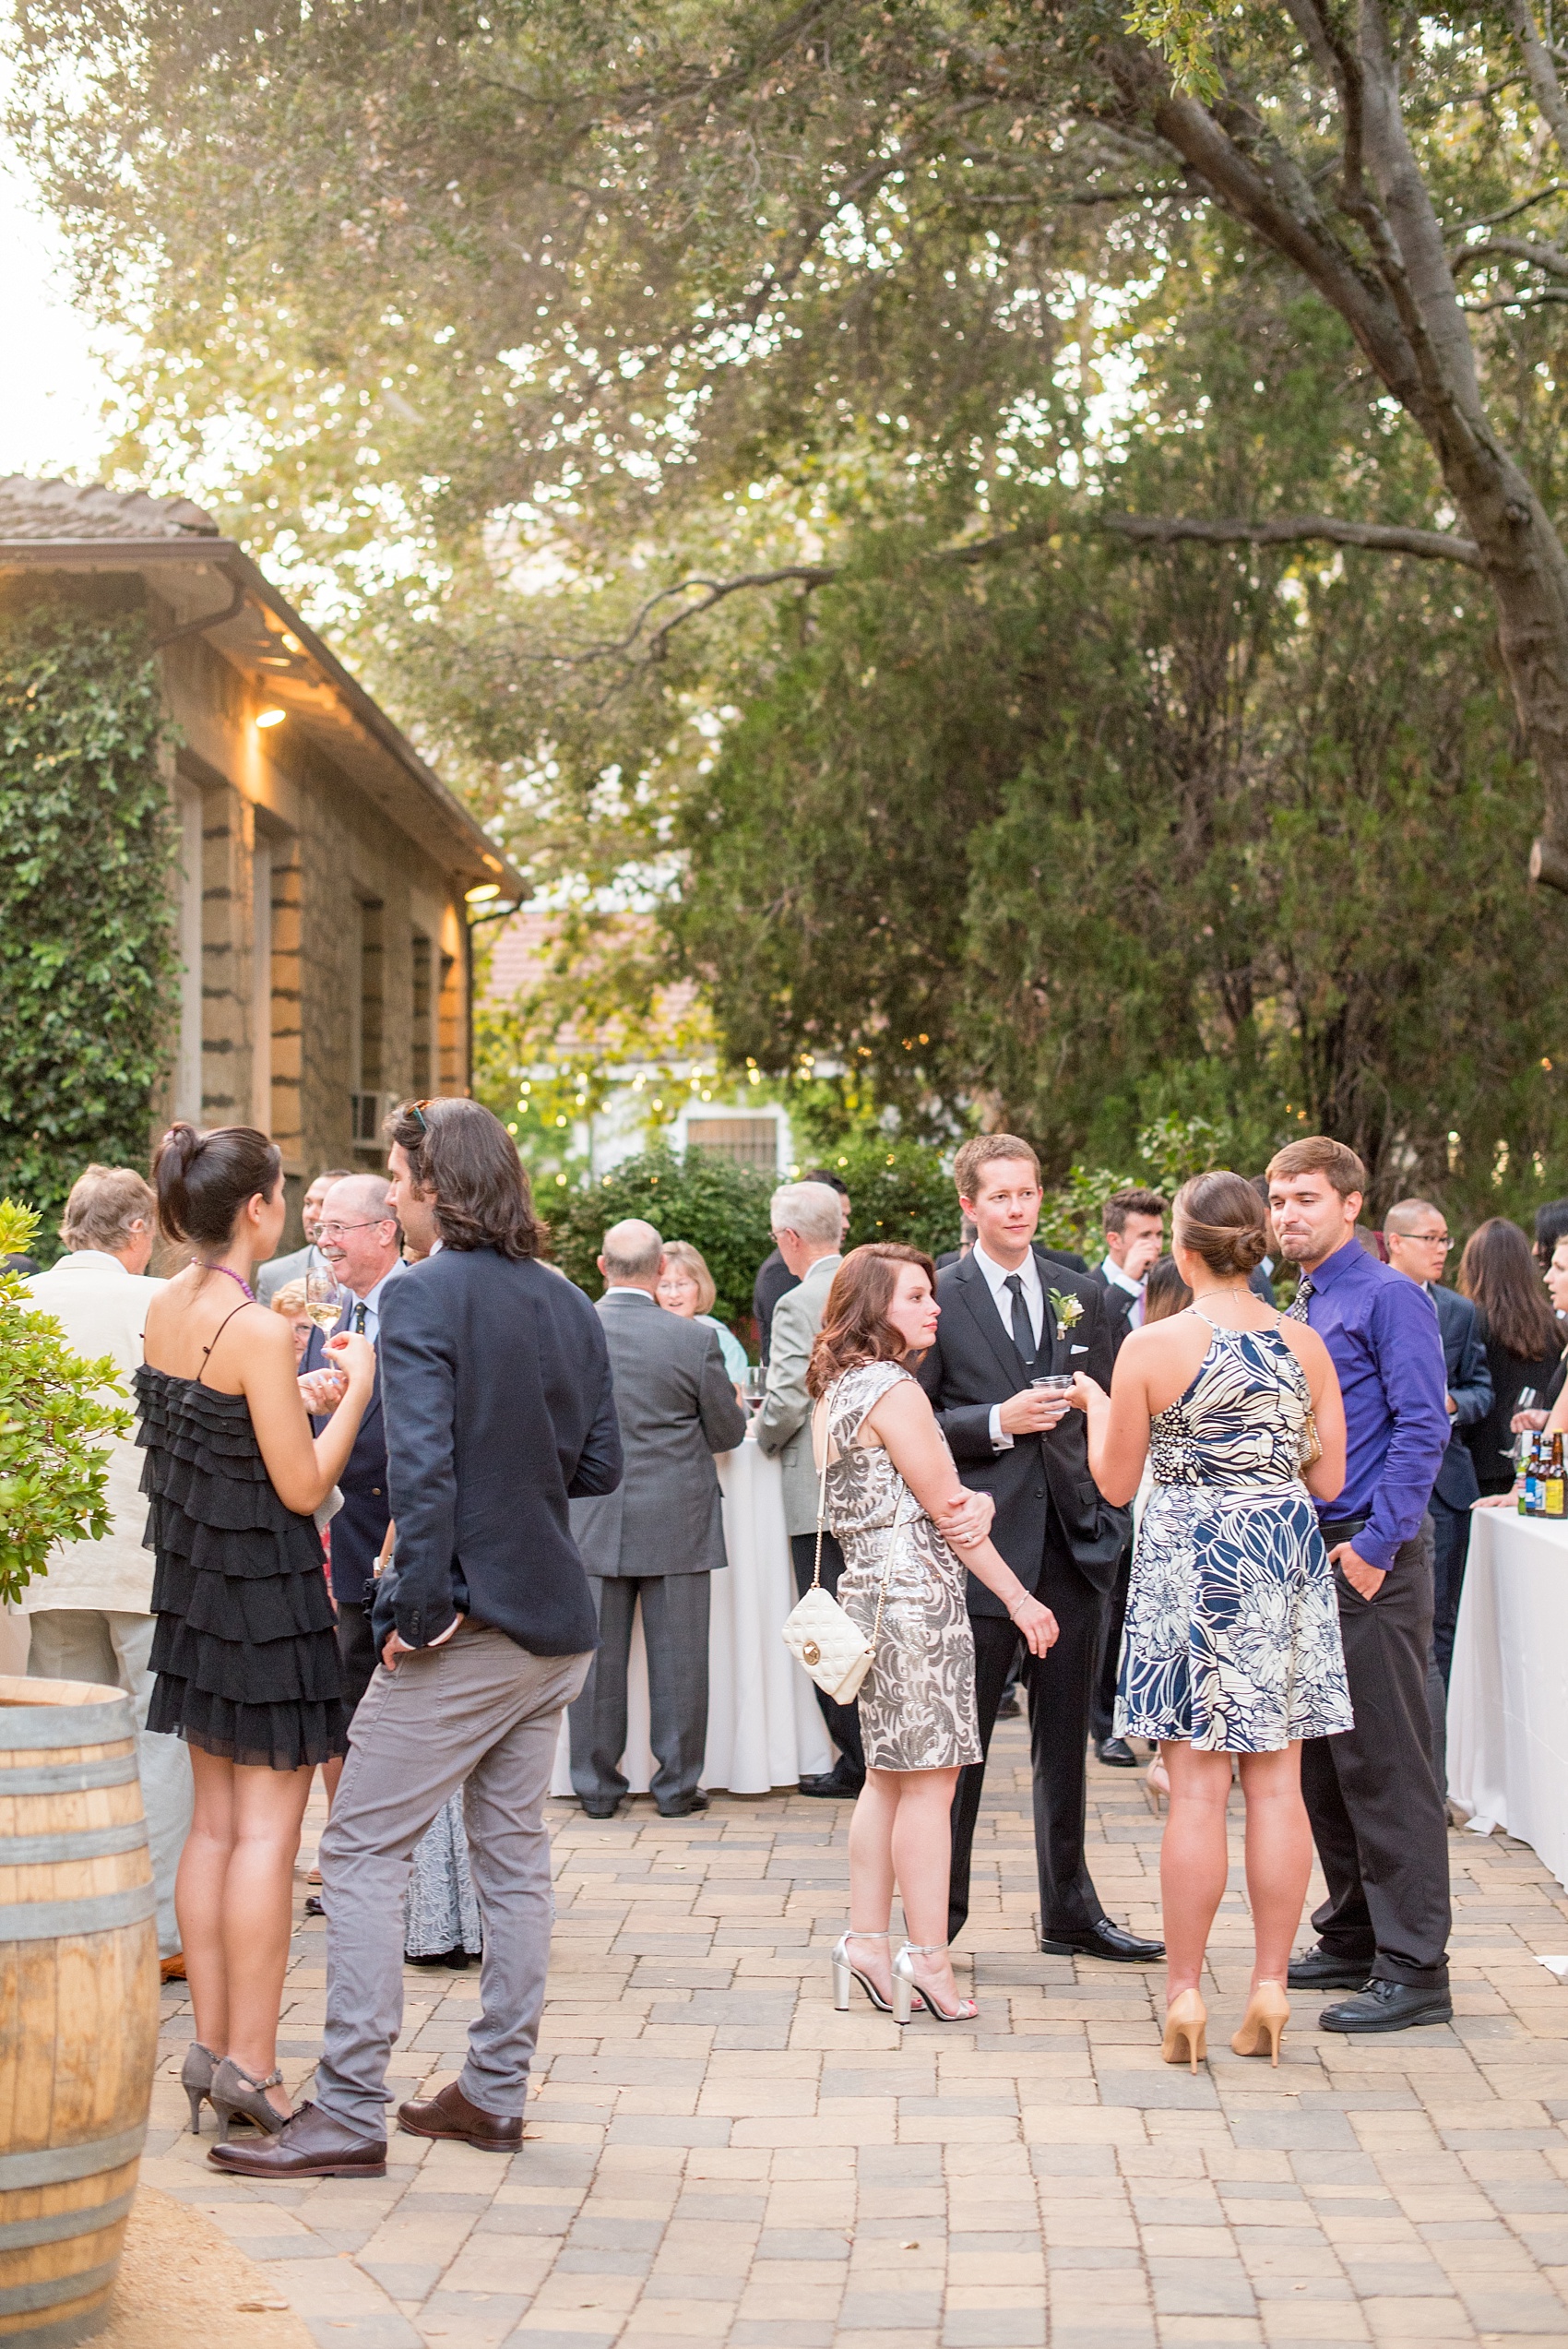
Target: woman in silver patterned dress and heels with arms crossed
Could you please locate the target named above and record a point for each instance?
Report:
(898, 1509)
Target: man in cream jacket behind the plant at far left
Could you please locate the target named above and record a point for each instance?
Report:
(93, 1613)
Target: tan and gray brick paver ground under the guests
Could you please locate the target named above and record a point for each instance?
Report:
(719, 2158)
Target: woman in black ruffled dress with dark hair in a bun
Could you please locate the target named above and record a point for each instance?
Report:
(245, 1650)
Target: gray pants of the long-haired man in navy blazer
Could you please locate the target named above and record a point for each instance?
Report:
(478, 1714)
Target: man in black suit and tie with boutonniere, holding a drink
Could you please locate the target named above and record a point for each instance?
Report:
(1011, 1317)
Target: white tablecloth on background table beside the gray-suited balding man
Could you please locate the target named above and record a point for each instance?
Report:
(764, 1723)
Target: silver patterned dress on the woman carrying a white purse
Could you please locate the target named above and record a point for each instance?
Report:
(917, 1704)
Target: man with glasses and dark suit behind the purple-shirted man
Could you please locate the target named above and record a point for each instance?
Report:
(1417, 1239)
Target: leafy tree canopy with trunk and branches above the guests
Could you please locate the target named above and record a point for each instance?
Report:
(1008, 527)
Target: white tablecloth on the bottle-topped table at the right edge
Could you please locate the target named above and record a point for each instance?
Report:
(1508, 1700)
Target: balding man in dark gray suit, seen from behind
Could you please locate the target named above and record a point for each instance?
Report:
(656, 1537)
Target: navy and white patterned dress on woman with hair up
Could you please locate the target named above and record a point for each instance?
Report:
(1234, 1627)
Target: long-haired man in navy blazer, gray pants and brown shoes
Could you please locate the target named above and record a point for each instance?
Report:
(499, 1406)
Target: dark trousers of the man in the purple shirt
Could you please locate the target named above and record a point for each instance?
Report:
(1372, 1796)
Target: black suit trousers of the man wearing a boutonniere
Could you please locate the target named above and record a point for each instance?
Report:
(1057, 1746)
